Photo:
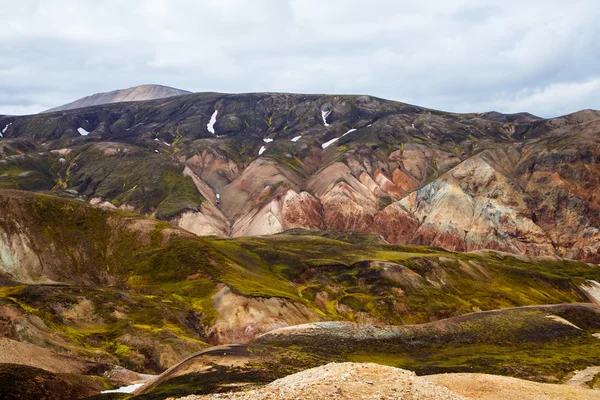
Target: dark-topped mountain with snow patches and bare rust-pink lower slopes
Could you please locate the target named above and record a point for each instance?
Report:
(257, 164)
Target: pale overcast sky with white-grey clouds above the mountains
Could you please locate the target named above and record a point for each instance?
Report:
(509, 56)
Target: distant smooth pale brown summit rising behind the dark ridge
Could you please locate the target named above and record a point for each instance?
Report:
(137, 93)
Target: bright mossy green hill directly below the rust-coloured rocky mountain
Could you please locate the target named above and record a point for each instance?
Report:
(117, 288)
